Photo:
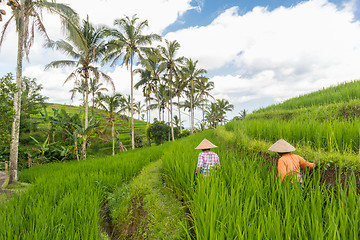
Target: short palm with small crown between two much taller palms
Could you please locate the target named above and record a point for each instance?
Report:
(110, 104)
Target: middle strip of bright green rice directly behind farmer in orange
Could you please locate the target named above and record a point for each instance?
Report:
(336, 135)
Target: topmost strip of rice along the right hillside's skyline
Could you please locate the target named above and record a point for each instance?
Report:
(342, 93)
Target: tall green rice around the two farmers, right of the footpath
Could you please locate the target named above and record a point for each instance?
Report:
(244, 200)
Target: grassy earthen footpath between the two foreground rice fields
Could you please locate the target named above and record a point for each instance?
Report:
(144, 209)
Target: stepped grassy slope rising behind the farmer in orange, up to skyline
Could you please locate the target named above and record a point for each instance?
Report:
(324, 126)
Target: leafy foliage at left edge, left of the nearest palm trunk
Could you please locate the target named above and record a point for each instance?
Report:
(7, 90)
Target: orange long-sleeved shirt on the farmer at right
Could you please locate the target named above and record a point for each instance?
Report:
(290, 164)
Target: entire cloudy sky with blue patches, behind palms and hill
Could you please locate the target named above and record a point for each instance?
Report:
(257, 52)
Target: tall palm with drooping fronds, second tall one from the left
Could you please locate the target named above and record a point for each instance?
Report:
(87, 48)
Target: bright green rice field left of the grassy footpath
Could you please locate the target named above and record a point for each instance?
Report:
(64, 200)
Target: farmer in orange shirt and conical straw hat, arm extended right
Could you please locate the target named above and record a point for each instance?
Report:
(289, 164)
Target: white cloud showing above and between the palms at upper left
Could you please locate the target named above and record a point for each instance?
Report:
(100, 12)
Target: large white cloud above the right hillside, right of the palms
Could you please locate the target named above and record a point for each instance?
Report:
(278, 54)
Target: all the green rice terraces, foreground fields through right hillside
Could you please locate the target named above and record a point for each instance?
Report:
(241, 200)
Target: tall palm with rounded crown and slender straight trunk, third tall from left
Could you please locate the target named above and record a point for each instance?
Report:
(127, 43)
